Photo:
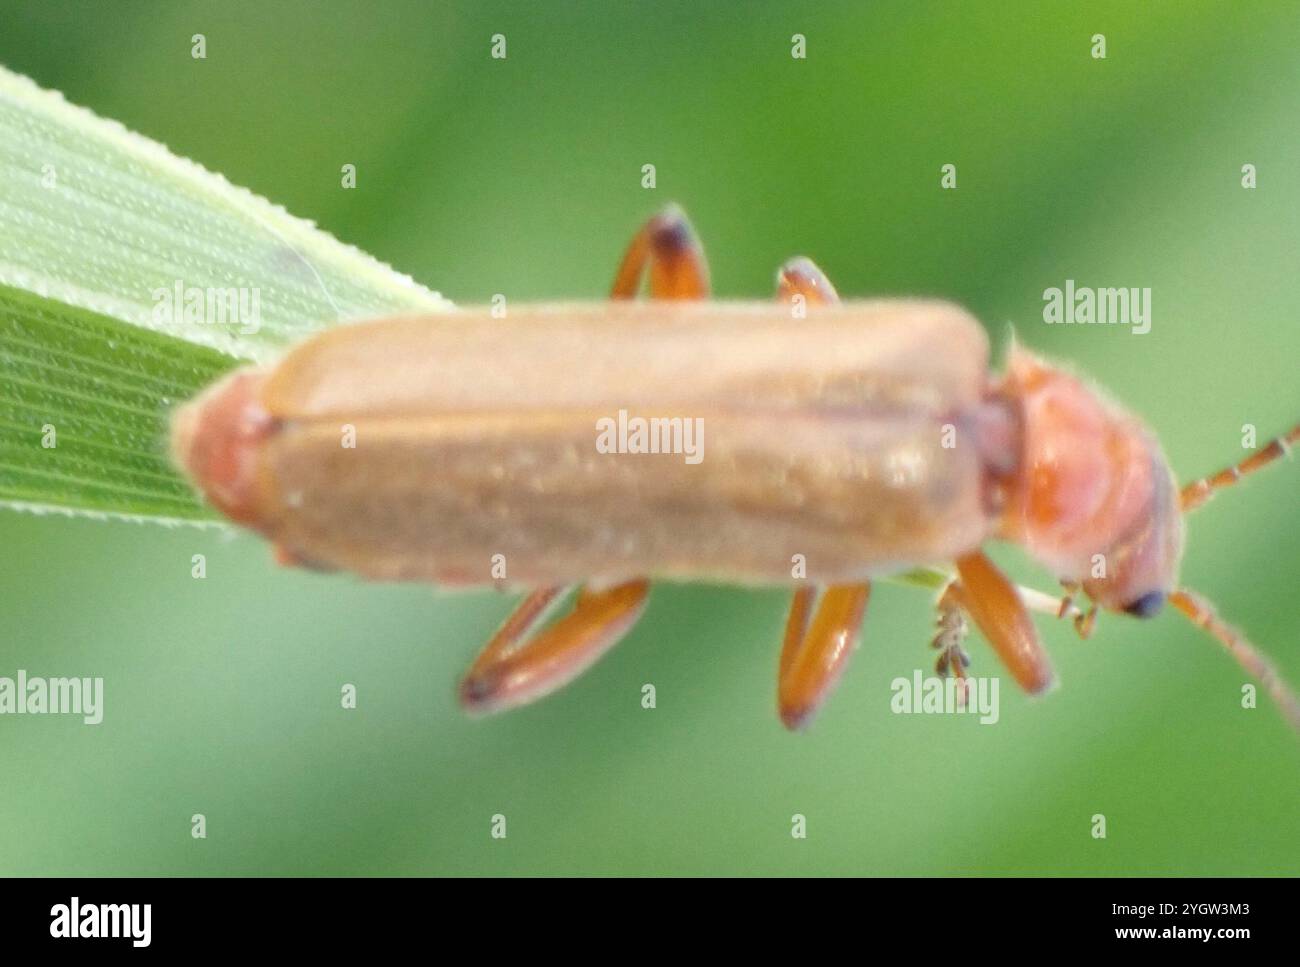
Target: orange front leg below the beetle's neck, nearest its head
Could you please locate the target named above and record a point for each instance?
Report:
(994, 605)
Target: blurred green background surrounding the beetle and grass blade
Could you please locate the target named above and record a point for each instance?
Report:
(523, 176)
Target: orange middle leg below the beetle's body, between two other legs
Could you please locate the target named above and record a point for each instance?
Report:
(817, 648)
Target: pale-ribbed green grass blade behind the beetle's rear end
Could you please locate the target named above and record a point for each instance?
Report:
(106, 239)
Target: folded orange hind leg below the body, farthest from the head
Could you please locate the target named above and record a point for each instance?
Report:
(518, 667)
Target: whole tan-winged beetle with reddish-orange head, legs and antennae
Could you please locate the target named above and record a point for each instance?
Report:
(861, 439)
